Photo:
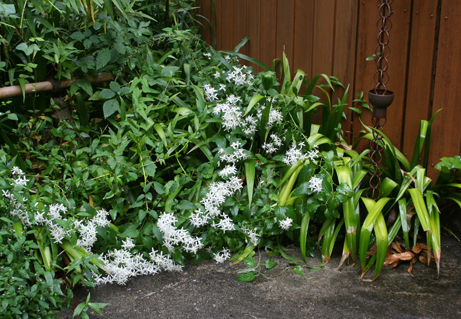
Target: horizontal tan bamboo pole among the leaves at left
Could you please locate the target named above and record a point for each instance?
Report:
(15, 90)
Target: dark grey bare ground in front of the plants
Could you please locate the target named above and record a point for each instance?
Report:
(209, 290)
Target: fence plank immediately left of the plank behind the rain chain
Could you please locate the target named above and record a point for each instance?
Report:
(344, 55)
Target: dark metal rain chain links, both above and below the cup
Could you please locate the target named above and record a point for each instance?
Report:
(381, 77)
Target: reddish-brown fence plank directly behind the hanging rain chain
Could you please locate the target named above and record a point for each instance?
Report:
(398, 59)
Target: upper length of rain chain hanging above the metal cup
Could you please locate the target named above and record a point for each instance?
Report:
(382, 50)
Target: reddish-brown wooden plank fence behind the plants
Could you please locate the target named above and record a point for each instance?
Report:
(336, 36)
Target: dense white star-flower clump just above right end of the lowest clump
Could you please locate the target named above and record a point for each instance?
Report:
(173, 236)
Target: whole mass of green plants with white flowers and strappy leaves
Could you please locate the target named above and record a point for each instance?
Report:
(185, 153)
